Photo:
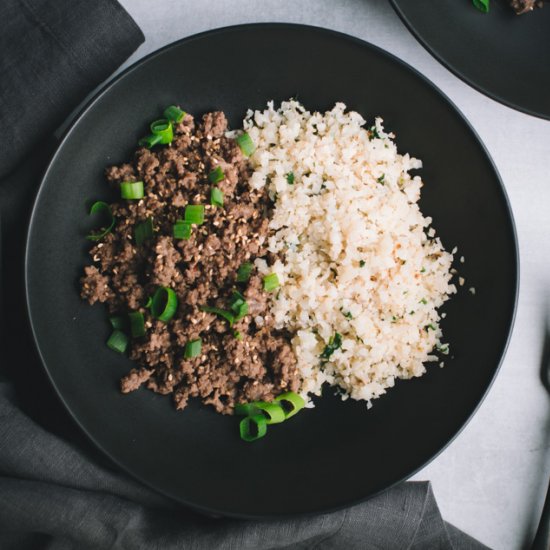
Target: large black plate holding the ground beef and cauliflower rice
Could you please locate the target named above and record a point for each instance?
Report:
(340, 452)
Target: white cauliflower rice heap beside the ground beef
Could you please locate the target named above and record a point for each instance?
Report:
(361, 270)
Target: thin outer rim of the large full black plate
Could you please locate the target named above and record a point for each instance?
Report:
(103, 90)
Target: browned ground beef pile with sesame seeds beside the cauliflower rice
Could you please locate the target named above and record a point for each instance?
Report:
(259, 363)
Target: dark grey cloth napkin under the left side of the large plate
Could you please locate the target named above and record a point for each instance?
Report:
(56, 490)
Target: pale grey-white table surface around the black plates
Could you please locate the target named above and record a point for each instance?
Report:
(492, 479)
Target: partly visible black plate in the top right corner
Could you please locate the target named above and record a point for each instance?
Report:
(503, 55)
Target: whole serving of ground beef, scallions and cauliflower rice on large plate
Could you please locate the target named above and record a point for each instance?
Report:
(252, 268)
